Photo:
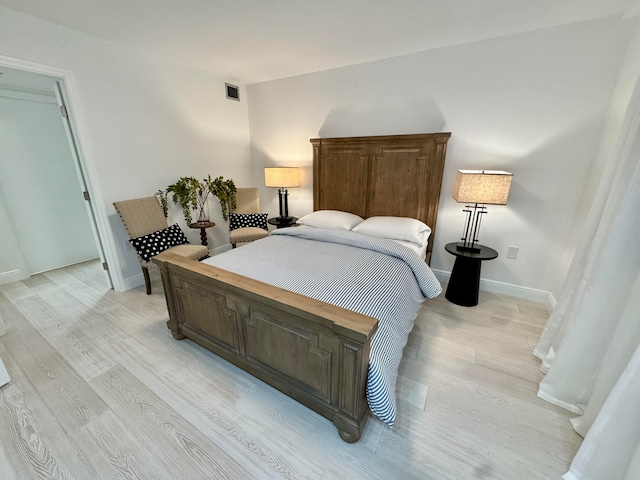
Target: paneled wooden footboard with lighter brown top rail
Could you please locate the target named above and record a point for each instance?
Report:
(312, 351)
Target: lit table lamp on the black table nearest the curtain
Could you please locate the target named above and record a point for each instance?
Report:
(478, 188)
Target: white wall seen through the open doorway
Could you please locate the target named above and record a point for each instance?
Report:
(40, 187)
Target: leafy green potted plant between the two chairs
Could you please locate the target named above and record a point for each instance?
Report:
(192, 194)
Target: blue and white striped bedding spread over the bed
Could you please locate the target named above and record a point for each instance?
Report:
(370, 275)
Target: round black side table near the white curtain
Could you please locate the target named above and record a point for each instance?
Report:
(464, 283)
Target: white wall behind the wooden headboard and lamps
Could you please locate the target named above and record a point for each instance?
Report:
(533, 104)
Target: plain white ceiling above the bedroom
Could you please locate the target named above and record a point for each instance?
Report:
(251, 41)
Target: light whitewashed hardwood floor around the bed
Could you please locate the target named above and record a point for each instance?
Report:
(101, 390)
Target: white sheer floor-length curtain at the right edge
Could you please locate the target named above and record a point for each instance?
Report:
(590, 348)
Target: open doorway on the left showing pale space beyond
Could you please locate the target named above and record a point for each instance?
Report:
(43, 195)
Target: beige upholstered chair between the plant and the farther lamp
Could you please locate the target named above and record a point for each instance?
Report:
(246, 222)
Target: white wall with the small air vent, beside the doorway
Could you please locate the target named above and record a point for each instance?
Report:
(142, 123)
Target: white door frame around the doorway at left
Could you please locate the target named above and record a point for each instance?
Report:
(87, 176)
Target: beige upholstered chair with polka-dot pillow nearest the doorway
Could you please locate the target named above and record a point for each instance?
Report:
(144, 219)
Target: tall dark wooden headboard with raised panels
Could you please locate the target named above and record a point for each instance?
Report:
(395, 175)
